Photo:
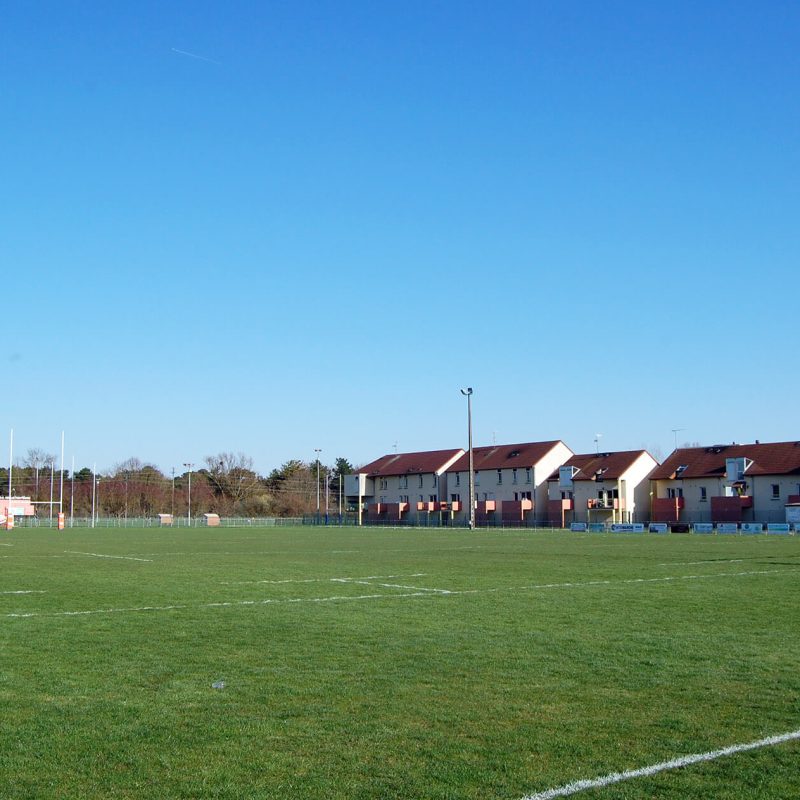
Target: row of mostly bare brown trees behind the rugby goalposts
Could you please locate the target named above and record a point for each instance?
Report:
(225, 484)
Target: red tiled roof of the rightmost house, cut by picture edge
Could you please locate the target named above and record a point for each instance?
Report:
(777, 458)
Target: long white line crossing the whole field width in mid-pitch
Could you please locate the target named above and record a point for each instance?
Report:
(427, 593)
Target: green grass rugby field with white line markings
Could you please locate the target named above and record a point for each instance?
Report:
(394, 663)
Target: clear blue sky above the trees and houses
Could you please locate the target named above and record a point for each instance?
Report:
(270, 227)
